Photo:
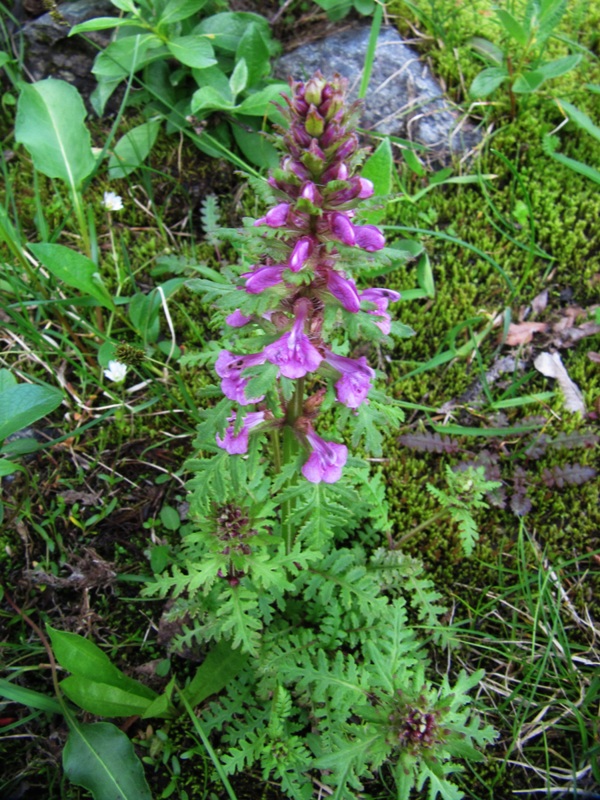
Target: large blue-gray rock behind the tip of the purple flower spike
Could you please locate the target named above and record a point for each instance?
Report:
(403, 98)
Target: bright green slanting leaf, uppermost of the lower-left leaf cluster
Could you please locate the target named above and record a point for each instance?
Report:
(84, 659)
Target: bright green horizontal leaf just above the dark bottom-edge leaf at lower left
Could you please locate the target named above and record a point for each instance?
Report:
(102, 699)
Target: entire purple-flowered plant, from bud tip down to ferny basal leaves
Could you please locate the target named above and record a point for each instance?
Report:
(288, 572)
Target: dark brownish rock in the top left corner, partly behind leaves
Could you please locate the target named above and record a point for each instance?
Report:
(49, 51)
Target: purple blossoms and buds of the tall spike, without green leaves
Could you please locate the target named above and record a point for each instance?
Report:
(317, 191)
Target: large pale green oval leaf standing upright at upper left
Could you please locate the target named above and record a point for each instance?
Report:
(50, 124)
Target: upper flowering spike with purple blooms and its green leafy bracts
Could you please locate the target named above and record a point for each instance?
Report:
(298, 309)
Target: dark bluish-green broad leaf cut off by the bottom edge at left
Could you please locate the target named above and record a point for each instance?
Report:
(101, 758)
